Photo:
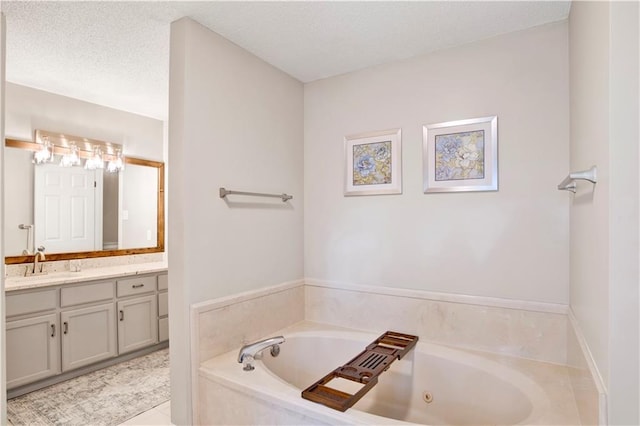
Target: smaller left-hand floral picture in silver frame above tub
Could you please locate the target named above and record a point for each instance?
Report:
(373, 163)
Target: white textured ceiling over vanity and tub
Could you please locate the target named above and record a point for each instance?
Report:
(117, 53)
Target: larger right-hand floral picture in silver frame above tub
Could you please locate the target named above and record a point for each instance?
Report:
(460, 156)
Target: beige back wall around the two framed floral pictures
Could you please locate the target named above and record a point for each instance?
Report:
(513, 243)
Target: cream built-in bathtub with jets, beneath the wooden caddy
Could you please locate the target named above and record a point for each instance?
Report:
(433, 384)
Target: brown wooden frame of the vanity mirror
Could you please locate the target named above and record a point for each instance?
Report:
(32, 146)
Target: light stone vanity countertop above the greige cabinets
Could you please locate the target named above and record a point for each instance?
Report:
(67, 277)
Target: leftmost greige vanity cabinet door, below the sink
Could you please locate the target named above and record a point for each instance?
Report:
(32, 349)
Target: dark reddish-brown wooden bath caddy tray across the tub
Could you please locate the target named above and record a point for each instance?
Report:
(364, 368)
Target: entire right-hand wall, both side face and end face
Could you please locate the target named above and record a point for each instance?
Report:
(605, 219)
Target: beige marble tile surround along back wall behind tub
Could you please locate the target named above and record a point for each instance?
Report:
(532, 334)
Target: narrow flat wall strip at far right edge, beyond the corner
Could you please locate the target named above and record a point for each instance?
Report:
(624, 335)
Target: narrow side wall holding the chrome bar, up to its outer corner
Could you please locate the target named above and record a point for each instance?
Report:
(589, 53)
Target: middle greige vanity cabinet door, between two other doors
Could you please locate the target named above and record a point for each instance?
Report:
(88, 335)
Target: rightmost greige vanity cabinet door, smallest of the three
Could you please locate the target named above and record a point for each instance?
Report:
(137, 323)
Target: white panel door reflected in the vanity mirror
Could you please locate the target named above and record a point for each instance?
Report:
(65, 201)
